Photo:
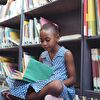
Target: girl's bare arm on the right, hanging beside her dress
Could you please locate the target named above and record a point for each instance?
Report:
(69, 60)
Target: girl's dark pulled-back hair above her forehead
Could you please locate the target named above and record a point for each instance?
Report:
(51, 26)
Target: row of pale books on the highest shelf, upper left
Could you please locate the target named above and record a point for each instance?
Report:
(16, 6)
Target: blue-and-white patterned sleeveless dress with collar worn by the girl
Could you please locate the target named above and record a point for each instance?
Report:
(19, 88)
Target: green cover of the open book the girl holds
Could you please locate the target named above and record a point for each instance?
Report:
(37, 71)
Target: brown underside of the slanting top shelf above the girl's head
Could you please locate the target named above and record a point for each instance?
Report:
(57, 7)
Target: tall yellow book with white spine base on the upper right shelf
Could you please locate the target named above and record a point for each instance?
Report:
(91, 18)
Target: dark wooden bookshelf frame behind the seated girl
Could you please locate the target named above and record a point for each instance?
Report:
(68, 14)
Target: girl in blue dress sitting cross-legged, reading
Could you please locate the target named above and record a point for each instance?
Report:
(60, 84)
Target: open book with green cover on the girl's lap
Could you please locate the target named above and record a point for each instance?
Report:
(33, 70)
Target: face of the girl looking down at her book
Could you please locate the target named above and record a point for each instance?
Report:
(48, 40)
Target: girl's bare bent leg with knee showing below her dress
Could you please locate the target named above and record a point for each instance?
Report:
(54, 88)
